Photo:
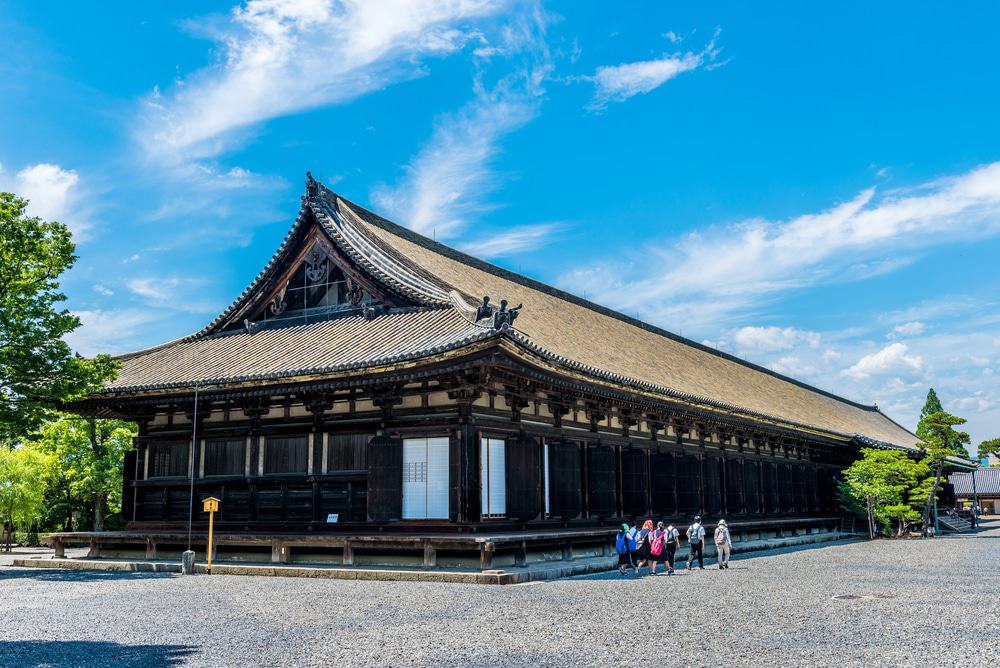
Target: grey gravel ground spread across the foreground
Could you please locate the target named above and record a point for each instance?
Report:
(920, 603)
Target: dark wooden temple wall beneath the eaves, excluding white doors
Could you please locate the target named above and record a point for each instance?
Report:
(290, 465)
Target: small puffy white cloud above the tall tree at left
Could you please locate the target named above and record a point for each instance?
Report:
(53, 194)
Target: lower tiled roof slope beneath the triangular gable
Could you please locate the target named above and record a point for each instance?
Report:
(349, 342)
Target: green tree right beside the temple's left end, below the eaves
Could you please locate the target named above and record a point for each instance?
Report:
(85, 465)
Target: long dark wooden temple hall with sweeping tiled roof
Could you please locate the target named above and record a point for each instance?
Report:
(374, 385)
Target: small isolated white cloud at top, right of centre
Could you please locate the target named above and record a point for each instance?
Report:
(617, 83)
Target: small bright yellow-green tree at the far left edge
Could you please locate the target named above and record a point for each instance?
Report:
(22, 489)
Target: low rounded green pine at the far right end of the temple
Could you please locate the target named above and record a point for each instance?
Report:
(883, 483)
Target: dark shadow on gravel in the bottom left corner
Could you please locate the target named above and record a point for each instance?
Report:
(86, 653)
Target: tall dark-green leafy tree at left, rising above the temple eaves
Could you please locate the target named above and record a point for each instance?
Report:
(37, 368)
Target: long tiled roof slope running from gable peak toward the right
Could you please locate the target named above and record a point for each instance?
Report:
(599, 338)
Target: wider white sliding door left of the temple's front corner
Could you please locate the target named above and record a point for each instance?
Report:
(425, 478)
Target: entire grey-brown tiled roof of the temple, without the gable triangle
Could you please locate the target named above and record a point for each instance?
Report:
(569, 331)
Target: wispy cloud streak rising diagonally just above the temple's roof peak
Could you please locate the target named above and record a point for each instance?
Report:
(447, 184)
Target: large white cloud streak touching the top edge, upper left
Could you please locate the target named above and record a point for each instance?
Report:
(285, 56)
